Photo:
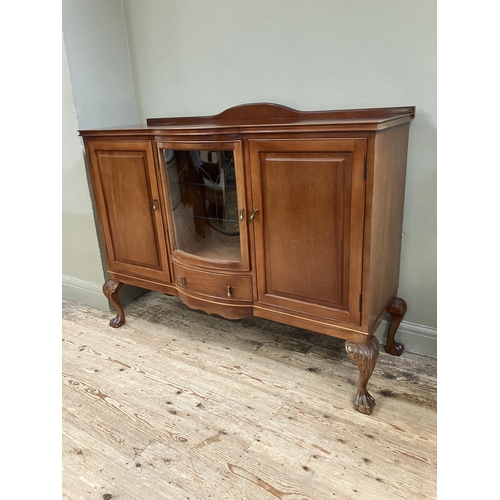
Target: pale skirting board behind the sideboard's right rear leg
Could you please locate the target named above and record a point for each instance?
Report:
(416, 338)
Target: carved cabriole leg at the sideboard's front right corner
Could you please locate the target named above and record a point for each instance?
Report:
(365, 356)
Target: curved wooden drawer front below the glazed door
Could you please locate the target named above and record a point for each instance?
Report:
(218, 286)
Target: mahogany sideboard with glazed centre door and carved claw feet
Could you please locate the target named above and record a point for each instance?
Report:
(263, 210)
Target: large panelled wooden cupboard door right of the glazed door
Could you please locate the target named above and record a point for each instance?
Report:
(308, 230)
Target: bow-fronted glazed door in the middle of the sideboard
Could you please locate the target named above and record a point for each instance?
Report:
(205, 189)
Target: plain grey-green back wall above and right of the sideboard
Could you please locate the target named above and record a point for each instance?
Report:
(191, 57)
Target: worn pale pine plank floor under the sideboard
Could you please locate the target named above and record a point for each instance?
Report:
(177, 404)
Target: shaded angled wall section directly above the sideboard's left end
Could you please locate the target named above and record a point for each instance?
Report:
(101, 76)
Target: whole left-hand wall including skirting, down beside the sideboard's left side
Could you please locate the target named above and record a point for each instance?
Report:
(98, 91)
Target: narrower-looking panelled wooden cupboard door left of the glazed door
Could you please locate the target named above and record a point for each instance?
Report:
(126, 192)
